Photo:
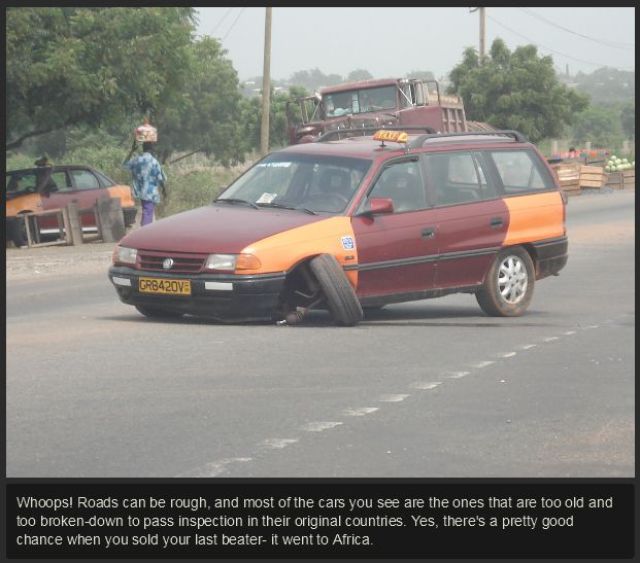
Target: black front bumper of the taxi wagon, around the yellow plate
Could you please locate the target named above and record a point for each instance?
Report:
(222, 297)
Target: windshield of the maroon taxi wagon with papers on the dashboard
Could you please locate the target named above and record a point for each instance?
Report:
(320, 184)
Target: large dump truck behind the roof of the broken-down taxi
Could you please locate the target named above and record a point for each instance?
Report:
(378, 103)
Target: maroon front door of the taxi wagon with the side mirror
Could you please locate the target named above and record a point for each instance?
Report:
(396, 250)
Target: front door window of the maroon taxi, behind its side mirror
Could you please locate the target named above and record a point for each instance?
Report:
(403, 184)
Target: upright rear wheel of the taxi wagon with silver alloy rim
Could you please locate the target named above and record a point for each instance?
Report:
(508, 287)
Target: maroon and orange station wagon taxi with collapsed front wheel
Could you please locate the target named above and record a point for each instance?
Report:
(354, 223)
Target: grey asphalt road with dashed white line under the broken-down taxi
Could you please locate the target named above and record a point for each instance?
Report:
(424, 389)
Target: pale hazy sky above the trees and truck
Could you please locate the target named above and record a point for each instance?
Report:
(396, 41)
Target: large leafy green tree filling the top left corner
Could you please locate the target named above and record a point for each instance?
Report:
(70, 66)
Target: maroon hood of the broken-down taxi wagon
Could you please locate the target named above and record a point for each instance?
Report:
(218, 228)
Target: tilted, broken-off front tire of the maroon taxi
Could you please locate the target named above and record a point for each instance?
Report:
(342, 301)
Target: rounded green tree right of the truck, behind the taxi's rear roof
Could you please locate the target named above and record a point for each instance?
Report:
(516, 90)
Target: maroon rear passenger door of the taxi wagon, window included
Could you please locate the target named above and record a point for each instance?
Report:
(471, 218)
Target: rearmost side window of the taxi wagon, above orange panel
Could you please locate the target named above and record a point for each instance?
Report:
(521, 172)
